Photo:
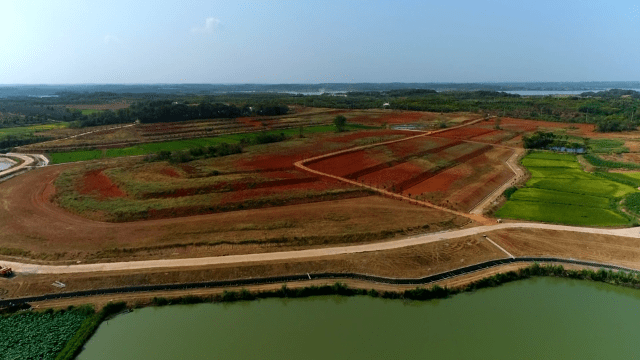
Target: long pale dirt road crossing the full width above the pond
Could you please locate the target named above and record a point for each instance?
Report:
(305, 254)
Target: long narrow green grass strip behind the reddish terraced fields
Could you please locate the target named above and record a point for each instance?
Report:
(150, 148)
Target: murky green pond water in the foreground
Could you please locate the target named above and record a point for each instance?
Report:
(540, 318)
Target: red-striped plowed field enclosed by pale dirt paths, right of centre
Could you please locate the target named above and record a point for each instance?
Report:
(445, 170)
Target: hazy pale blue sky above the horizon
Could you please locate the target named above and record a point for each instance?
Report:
(274, 42)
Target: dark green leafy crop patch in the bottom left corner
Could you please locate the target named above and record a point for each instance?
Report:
(36, 335)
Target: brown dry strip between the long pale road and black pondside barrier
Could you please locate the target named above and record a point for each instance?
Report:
(415, 261)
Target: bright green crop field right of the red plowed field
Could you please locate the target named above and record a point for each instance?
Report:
(560, 192)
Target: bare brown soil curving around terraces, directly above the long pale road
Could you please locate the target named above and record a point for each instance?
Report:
(32, 226)
